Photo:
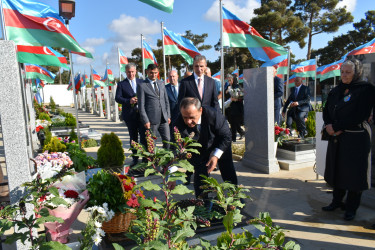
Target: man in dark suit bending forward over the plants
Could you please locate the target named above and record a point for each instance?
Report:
(211, 130)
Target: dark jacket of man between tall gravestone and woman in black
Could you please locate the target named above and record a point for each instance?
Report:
(303, 99)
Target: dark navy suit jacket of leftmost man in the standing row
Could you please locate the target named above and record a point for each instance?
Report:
(124, 93)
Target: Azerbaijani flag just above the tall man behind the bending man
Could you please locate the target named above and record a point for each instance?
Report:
(175, 44)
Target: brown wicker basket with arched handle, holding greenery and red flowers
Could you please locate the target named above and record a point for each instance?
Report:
(120, 222)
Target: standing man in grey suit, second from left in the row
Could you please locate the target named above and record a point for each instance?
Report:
(154, 105)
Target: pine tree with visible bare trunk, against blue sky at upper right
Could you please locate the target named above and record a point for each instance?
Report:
(321, 16)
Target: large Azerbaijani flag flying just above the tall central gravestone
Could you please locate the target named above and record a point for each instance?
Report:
(237, 33)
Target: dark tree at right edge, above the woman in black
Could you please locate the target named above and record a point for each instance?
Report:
(363, 32)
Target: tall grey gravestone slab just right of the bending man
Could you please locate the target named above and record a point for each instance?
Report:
(259, 120)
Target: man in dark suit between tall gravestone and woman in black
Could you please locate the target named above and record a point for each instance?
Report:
(299, 101)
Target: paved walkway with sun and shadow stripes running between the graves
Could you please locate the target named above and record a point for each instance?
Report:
(293, 198)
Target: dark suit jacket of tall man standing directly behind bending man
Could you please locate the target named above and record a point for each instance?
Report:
(188, 88)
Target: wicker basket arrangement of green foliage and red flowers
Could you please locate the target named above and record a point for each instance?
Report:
(121, 194)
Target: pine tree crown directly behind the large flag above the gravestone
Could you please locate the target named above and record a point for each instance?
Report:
(276, 21)
